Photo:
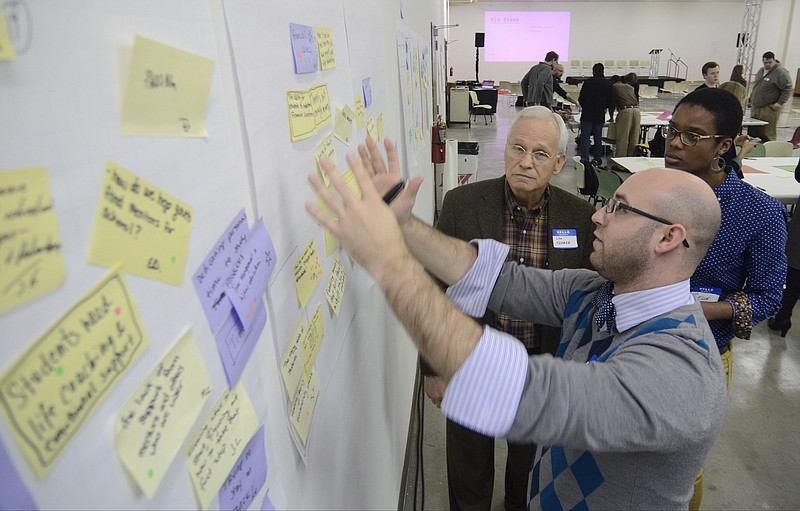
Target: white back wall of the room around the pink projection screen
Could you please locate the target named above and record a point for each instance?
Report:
(695, 31)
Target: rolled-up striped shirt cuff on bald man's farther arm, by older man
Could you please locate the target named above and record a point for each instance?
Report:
(471, 293)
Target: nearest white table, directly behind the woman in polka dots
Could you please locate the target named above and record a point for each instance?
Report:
(774, 176)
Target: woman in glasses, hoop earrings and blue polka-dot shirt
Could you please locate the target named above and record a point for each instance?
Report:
(740, 280)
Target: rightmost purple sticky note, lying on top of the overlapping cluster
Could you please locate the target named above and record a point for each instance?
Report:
(250, 272)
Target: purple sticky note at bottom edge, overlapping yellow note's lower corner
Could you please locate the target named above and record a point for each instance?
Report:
(247, 476)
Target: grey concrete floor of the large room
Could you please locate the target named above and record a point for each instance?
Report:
(756, 460)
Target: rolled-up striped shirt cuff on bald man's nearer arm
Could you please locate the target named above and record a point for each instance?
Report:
(484, 393)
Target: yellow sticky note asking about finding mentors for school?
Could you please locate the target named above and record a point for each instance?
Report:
(141, 226)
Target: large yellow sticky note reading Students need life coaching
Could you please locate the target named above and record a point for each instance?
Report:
(48, 393)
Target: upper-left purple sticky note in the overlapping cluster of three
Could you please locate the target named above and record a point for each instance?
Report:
(210, 278)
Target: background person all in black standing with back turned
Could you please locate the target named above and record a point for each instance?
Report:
(595, 98)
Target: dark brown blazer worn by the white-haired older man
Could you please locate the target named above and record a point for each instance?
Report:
(475, 211)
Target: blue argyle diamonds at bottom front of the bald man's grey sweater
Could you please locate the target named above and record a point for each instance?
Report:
(573, 477)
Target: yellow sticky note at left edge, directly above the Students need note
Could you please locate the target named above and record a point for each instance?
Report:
(31, 260)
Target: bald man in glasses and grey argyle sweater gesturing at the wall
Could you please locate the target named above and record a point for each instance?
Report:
(627, 411)
